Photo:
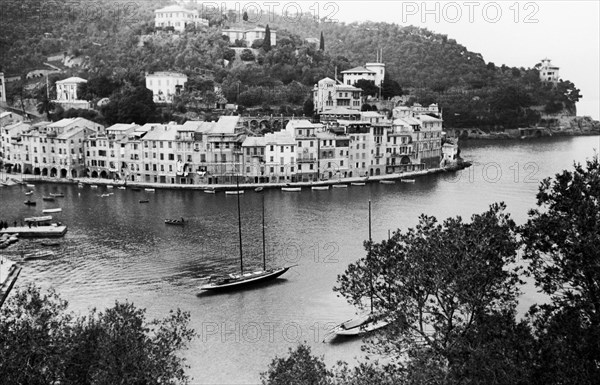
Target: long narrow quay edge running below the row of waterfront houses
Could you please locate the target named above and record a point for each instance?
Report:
(20, 178)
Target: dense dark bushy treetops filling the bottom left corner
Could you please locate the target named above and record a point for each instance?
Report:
(41, 343)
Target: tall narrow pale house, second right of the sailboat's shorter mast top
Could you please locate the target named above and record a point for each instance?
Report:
(307, 148)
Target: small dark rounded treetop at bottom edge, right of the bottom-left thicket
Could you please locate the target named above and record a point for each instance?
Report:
(299, 368)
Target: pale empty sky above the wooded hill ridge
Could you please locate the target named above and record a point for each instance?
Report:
(515, 33)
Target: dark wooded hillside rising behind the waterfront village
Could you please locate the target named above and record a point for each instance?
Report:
(117, 46)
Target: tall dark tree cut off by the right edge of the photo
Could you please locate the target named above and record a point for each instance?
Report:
(562, 244)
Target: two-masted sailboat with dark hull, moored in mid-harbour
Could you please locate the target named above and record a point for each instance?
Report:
(234, 281)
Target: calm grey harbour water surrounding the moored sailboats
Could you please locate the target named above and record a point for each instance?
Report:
(117, 249)
